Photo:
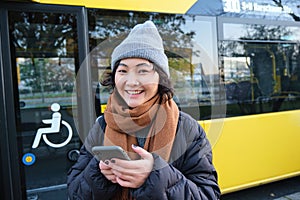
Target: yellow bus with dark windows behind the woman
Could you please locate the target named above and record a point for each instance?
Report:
(235, 65)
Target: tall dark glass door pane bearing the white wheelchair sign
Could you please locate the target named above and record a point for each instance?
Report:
(45, 55)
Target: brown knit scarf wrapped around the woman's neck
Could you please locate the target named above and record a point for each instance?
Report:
(123, 122)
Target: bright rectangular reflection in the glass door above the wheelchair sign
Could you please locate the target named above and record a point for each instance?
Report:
(53, 78)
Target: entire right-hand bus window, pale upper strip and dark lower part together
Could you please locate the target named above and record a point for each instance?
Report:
(260, 68)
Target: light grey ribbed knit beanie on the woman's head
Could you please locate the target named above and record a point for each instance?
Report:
(145, 42)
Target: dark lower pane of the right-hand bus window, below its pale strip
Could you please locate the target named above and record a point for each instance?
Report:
(261, 77)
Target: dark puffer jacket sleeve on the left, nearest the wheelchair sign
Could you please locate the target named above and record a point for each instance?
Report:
(85, 181)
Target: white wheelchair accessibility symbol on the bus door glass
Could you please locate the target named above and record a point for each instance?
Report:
(54, 128)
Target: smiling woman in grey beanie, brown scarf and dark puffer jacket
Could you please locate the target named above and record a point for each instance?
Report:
(170, 155)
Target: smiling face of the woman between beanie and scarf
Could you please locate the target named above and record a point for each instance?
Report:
(136, 81)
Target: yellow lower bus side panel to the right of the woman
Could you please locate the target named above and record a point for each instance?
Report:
(257, 149)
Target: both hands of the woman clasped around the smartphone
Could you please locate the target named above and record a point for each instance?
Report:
(126, 173)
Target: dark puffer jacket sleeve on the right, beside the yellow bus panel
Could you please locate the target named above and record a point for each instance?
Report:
(192, 176)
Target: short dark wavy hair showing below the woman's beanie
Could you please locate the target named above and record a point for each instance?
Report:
(165, 87)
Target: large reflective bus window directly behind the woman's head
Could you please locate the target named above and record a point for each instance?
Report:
(189, 43)
